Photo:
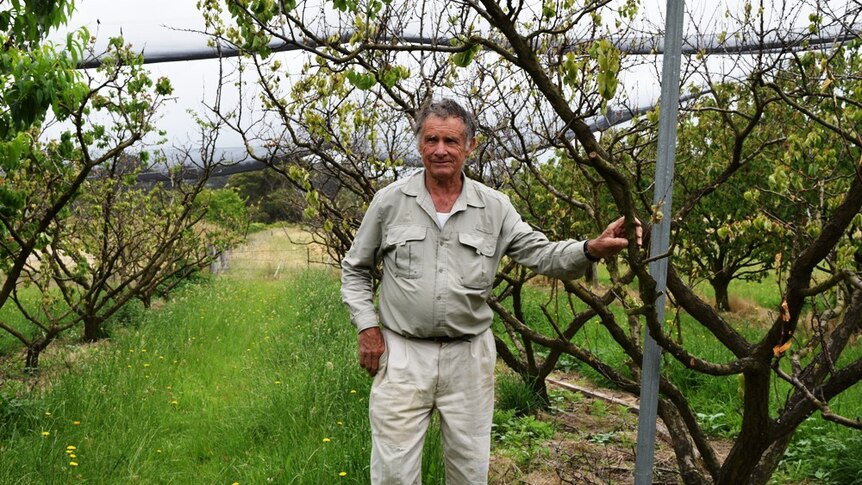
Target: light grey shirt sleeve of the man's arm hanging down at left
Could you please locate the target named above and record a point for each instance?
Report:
(357, 290)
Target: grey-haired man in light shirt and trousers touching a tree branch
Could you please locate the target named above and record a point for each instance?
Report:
(440, 237)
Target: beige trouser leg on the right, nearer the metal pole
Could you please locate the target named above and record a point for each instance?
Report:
(465, 400)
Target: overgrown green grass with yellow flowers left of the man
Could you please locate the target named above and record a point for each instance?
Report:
(230, 382)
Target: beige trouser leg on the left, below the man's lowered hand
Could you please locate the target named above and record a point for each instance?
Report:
(400, 409)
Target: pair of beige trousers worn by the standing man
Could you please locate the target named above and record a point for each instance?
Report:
(415, 378)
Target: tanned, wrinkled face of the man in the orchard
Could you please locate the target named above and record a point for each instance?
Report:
(444, 148)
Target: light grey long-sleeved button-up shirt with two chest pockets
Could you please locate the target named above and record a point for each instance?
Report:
(436, 281)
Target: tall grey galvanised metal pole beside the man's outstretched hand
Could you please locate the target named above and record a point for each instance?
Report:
(660, 236)
